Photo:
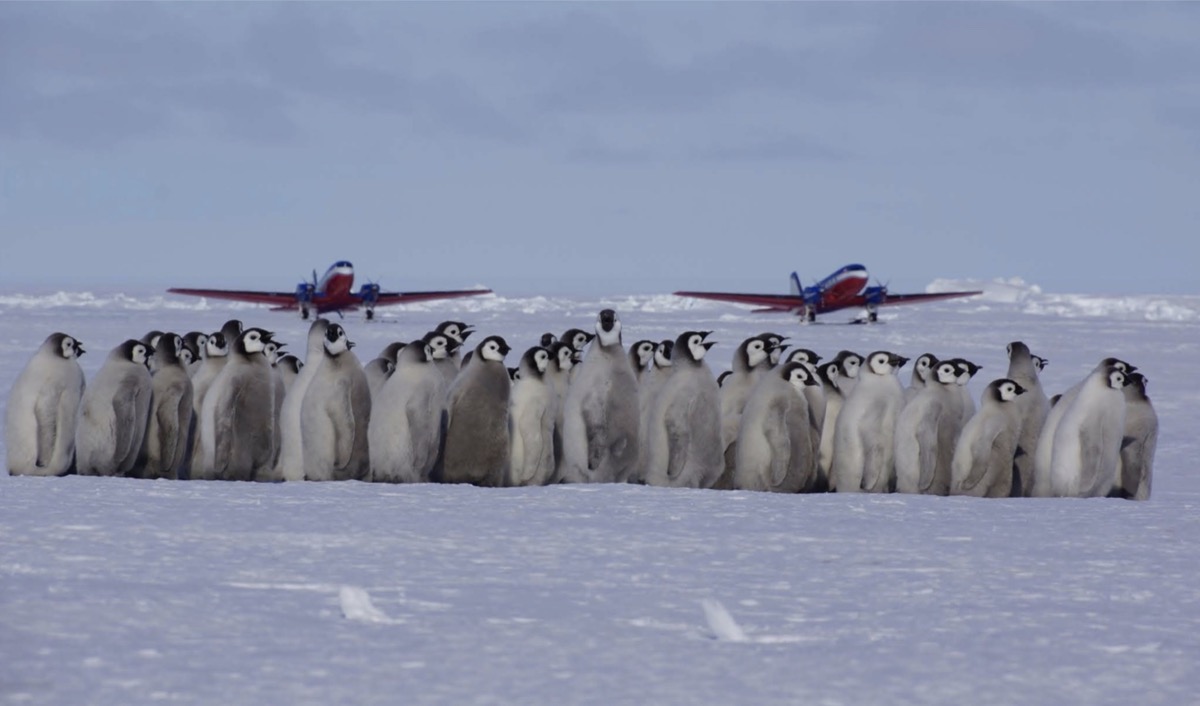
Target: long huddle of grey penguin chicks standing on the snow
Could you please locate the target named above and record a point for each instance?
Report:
(578, 409)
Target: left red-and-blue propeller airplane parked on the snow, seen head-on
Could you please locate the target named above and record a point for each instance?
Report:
(333, 292)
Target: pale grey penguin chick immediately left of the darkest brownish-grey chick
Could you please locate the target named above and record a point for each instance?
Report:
(405, 435)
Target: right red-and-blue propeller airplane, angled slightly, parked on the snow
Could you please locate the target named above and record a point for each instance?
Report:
(842, 290)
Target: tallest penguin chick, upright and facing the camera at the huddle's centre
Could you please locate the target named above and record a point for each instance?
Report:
(601, 416)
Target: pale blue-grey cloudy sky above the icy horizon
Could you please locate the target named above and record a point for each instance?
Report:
(601, 148)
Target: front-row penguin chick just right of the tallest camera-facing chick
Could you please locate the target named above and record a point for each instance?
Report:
(683, 445)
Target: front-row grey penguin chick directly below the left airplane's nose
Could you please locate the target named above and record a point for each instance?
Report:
(335, 415)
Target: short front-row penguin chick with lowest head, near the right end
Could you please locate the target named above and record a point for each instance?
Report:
(983, 458)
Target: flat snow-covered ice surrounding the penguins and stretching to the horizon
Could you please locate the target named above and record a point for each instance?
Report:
(118, 591)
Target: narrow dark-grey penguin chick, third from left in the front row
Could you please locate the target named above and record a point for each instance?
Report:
(165, 446)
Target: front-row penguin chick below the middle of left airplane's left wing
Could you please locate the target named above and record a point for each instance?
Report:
(238, 418)
